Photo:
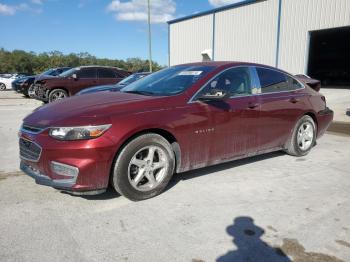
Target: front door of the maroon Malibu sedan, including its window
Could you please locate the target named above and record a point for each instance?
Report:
(234, 120)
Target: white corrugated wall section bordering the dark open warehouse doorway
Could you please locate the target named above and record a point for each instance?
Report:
(301, 16)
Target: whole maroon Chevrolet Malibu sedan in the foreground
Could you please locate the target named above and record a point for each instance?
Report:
(178, 119)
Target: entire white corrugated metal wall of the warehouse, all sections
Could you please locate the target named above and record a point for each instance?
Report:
(249, 32)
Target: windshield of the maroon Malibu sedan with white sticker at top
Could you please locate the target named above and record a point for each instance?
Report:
(169, 81)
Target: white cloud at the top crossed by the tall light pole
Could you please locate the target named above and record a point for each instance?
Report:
(136, 10)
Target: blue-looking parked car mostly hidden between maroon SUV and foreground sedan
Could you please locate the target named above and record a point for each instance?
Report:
(126, 81)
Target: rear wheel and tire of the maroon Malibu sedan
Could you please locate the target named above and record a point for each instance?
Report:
(303, 137)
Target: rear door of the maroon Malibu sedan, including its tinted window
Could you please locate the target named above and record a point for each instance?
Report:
(281, 105)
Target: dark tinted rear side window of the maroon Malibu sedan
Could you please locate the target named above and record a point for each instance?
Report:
(274, 81)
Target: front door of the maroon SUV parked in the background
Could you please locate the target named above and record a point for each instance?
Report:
(86, 77)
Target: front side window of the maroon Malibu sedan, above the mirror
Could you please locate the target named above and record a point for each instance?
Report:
(235, 81)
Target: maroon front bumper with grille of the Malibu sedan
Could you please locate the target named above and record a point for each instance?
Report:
(80, 167)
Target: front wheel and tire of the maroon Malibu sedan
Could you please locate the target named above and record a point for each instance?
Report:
(138, 176)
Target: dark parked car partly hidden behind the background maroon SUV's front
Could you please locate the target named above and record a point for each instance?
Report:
(25, 85)
